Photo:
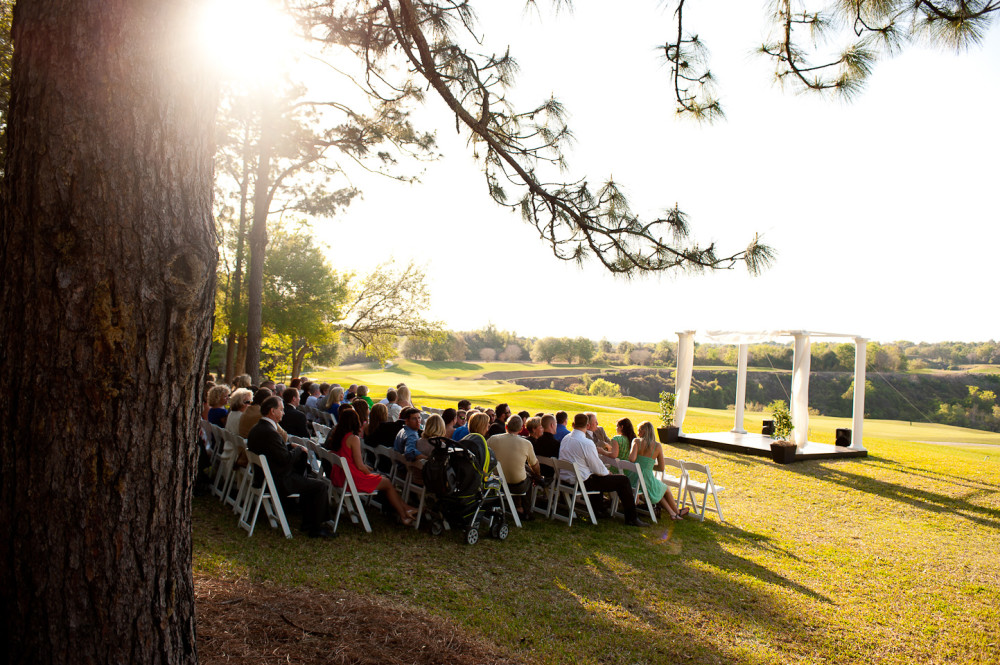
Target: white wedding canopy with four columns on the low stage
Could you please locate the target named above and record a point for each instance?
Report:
(800, 376)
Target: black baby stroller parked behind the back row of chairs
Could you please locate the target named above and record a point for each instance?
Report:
(461, 475)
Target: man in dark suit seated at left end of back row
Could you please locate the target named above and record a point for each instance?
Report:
(314, 495)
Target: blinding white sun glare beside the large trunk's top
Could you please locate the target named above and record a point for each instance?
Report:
(249, 40)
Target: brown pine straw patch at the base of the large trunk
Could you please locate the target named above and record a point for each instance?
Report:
(257, 623)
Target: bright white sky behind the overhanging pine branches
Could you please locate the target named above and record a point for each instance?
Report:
(883, 212)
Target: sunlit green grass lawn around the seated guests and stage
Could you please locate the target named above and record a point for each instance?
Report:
(885, 559)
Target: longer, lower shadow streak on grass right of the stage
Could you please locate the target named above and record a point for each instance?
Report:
(918, 498)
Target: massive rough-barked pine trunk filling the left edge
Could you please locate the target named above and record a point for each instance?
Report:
(108, 252)
